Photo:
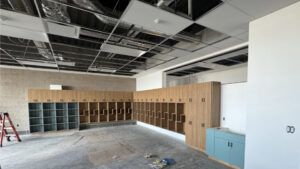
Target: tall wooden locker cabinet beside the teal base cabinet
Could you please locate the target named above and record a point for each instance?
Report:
(203, 111)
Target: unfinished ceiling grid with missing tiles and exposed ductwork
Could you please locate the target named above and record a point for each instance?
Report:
(124, 37)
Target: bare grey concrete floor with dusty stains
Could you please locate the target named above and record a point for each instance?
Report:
(101, 148)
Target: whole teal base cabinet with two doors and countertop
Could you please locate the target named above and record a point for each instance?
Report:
(226, 146)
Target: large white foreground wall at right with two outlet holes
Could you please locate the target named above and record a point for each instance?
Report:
(273, 91)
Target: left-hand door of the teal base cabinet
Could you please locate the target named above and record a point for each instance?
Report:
(222, 149)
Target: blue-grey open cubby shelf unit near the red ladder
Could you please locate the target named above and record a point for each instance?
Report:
(45, 117)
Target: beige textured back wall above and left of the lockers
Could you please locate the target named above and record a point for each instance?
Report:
(15, 82)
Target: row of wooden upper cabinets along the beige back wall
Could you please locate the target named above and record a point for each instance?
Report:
(42, 95)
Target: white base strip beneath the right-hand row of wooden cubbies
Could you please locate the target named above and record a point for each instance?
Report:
(175, 135)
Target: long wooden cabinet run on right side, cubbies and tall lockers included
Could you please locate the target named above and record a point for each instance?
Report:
(201, 110)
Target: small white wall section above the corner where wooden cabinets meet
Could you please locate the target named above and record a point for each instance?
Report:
(150, 81)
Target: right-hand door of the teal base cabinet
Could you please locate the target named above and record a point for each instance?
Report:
(237, 154)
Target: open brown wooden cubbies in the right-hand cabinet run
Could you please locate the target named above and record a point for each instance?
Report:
(169, 116)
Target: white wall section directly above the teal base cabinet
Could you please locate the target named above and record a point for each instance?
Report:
(234, 106)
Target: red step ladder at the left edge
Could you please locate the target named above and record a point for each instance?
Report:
(5, 118)
